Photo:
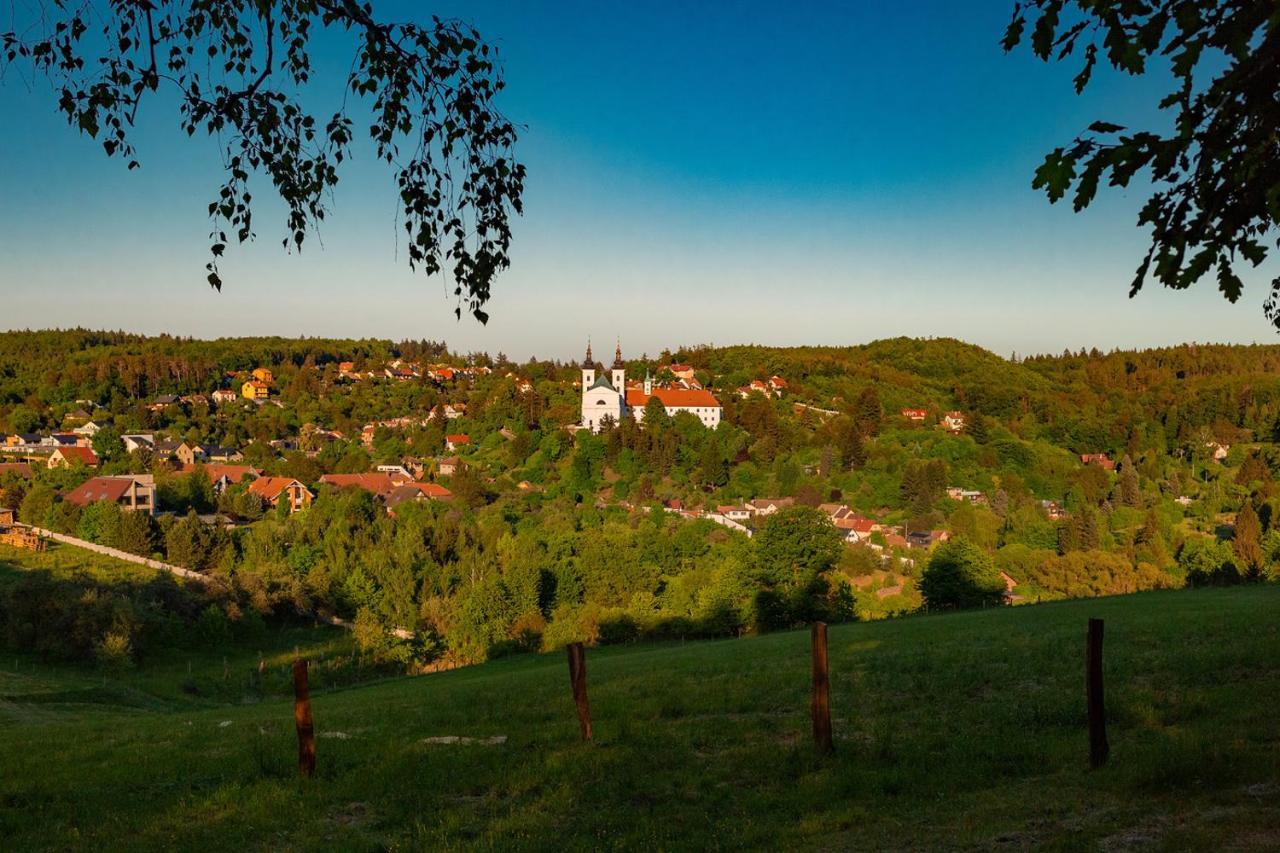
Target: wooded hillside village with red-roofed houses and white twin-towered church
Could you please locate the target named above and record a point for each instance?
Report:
(212, 454)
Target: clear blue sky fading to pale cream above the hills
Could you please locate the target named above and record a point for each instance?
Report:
(698, 174)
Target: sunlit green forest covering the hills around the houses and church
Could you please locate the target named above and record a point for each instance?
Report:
(1078, 475)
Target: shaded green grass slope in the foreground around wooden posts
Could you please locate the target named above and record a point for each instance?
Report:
(952, 732)
